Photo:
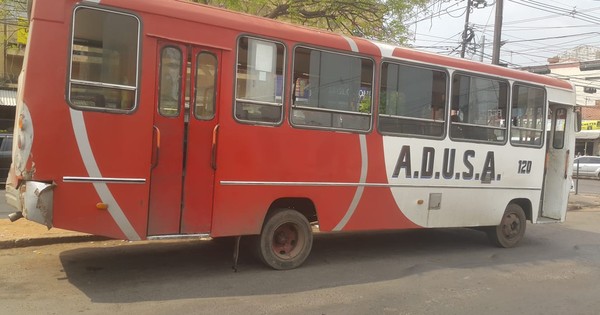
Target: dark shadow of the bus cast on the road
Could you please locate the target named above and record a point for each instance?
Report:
(160, 271)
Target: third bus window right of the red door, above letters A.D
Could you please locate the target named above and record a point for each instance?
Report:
(412, 100)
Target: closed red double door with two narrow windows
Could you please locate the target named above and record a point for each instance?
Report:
(185, 126)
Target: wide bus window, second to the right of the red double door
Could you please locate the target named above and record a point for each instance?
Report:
(331, 90)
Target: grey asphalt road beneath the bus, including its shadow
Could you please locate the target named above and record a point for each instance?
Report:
(555, 270)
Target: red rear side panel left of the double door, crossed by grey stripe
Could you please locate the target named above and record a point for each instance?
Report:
(83, 144)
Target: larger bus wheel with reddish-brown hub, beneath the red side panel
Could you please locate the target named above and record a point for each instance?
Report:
(286, 240)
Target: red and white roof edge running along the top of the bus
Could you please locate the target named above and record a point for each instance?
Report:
(242, 22)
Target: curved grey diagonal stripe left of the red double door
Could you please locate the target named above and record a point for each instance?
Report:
(85, 150)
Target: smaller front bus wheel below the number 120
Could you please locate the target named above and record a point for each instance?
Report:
(511, 229)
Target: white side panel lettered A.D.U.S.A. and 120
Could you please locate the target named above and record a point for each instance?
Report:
(449, 184)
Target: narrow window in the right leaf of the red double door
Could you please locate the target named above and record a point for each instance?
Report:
(206, 78)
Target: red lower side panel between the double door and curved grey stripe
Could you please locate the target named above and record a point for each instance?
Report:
(257, 165)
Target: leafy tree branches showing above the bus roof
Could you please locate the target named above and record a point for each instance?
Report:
(375, 19)
